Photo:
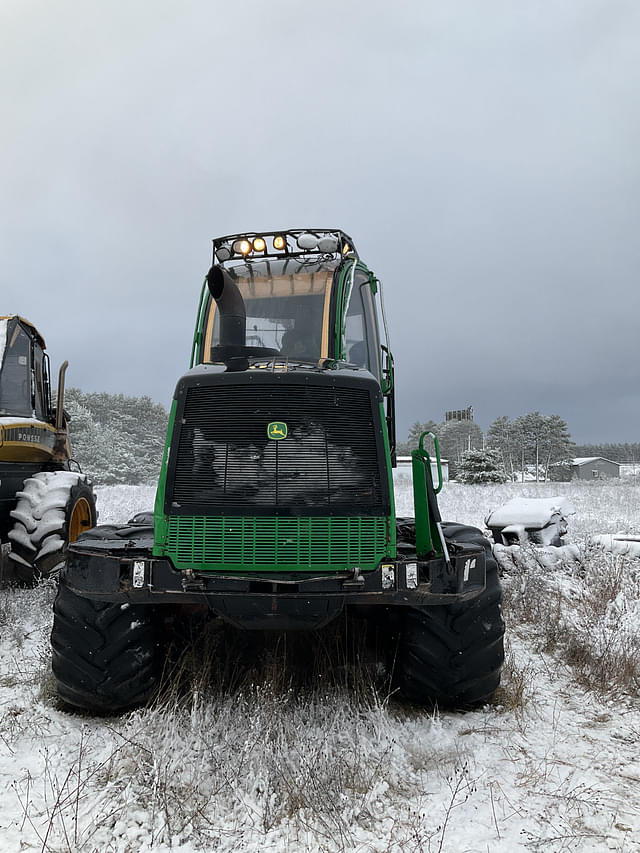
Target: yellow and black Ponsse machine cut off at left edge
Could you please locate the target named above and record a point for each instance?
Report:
(44, 504)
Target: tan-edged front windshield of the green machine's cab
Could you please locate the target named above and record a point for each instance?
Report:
(287, 306)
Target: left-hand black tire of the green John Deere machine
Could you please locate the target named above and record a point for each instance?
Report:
(103, 655)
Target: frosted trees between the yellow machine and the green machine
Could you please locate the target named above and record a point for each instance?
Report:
(114, 438)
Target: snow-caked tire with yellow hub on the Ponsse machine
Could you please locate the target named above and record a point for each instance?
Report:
(53, 509)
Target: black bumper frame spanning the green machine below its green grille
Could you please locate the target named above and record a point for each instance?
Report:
(113, 569)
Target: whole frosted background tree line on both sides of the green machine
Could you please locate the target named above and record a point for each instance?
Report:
(120, 439)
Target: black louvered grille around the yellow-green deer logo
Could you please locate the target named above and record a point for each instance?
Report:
(329, 464)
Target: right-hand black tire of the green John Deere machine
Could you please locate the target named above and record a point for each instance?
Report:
(453, 654)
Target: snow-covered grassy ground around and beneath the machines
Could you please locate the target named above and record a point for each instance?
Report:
(551, 765)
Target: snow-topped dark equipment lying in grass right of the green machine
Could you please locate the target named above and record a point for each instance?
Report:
(541, 521)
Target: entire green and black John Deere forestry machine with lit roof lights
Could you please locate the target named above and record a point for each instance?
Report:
(275, 503)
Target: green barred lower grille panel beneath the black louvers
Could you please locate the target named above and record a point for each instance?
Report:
(276, 543)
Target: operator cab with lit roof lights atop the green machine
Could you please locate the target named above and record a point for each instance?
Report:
(294, 286)
